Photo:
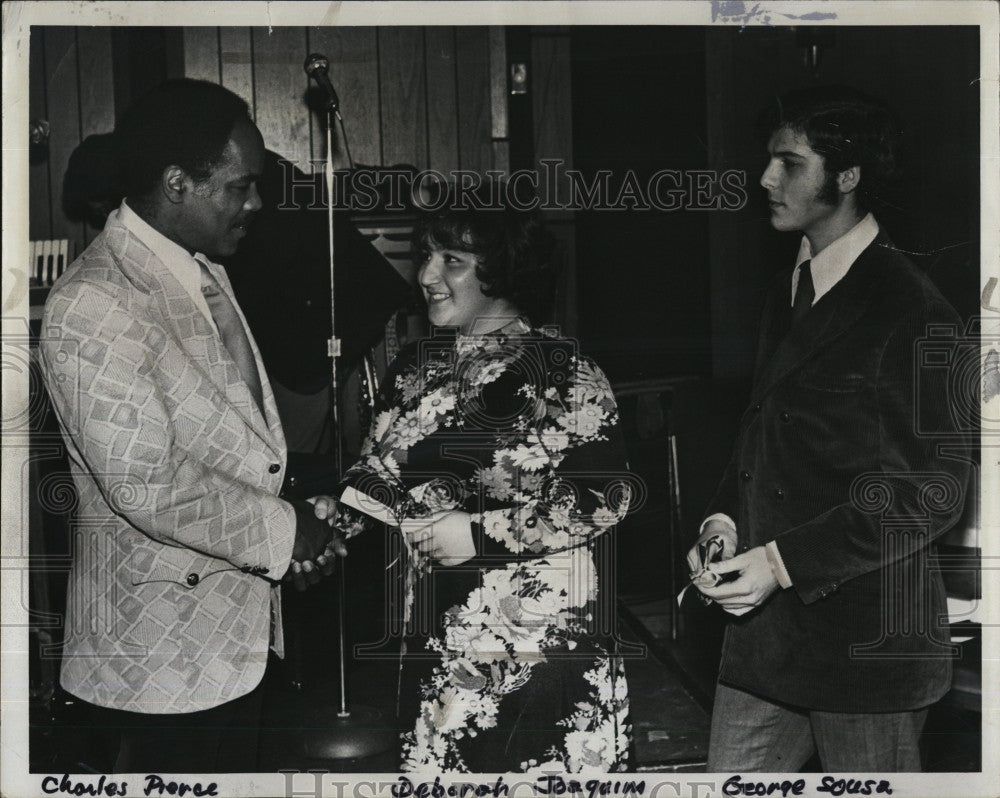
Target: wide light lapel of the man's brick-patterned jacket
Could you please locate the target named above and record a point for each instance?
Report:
(193, 333)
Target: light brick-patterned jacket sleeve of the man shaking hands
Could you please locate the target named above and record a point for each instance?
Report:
(101, 368)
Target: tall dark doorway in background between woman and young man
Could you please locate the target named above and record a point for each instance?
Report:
(638, 109)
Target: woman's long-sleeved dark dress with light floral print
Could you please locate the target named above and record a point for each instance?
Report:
(508, 658)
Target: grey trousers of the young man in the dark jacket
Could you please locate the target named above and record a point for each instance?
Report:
(752, 734)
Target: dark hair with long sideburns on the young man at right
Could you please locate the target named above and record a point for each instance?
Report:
(847, 128)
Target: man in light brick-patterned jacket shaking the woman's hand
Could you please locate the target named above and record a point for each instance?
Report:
(175, 447)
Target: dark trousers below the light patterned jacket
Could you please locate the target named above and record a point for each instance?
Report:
(222, 739)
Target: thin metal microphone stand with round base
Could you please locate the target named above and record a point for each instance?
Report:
(357, 731)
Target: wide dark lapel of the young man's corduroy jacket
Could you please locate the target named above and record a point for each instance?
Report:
(833, 315)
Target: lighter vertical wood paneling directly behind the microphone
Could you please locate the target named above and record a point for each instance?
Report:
(419, 96)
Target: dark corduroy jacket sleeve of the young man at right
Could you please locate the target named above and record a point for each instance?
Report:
(910, 480)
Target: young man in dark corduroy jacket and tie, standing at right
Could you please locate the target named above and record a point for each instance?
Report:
(835, 493)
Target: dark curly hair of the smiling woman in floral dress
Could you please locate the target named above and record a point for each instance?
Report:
(514, 247)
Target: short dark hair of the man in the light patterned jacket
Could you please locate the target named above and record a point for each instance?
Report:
(182, 122)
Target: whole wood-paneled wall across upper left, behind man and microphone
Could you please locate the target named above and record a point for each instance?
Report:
(431, 97)
